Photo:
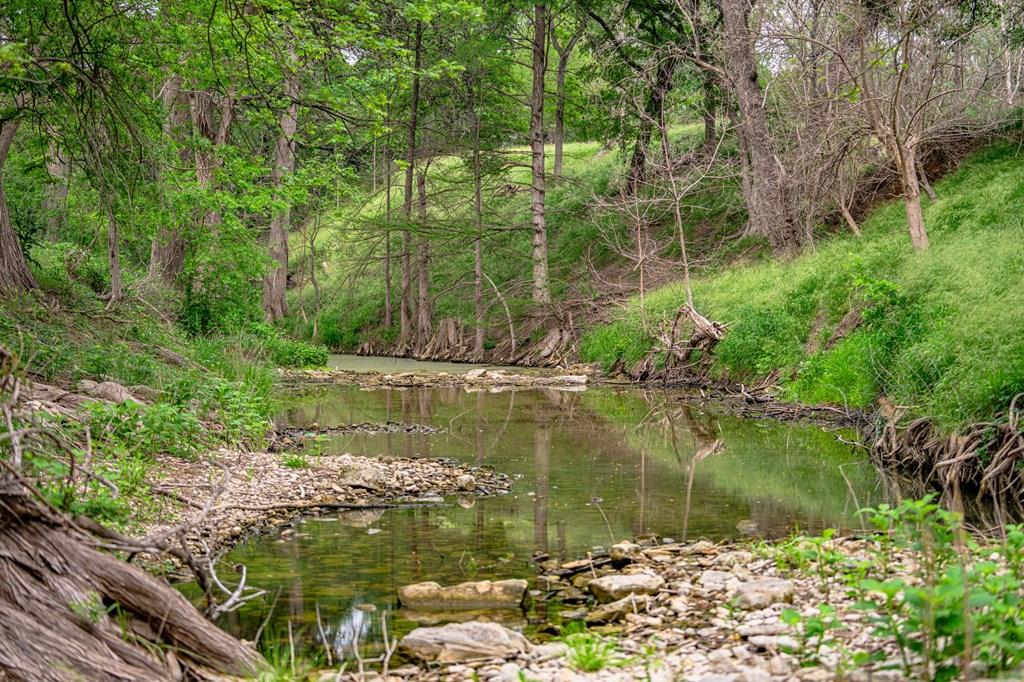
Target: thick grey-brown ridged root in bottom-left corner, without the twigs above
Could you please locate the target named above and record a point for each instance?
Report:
(72, 612)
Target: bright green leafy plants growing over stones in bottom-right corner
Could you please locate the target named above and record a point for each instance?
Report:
(952, 604)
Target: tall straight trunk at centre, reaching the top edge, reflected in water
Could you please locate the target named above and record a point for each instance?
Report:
(542, 292)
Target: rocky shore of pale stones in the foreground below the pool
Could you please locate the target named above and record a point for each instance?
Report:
(698, 612)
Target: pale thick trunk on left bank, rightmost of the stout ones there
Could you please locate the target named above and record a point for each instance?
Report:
(276, 282)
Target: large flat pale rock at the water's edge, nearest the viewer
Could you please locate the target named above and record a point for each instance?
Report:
(464, 642)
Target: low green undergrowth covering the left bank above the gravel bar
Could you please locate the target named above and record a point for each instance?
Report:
(195, 395)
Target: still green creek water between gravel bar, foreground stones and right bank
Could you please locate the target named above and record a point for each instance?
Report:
(588, 468)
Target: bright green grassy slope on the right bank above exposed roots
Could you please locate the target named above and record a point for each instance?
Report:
(942, 332)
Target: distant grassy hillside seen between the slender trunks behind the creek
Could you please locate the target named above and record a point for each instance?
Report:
(582, 233)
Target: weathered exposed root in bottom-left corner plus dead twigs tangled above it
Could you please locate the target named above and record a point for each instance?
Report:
(70, 609)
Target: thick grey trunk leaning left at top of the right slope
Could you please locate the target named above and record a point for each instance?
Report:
(764, 196)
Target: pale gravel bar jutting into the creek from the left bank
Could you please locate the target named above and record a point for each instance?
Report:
(226, 496)
